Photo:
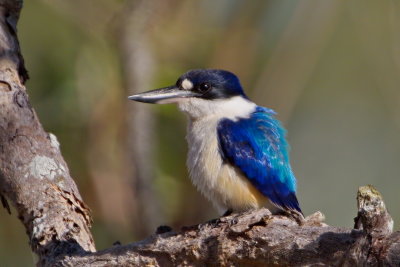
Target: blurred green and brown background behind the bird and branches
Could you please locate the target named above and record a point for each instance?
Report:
(329, 68)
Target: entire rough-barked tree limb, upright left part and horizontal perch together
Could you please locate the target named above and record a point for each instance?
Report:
(35, 178)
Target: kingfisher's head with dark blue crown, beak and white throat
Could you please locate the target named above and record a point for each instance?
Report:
(200, 93)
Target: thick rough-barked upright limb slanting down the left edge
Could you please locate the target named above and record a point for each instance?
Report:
(33, 174)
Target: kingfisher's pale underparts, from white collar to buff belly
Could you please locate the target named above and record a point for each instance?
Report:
(221, 183)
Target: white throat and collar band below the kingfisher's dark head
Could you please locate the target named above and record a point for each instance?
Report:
(231, 108)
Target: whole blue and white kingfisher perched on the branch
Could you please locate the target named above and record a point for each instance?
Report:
(237, 151)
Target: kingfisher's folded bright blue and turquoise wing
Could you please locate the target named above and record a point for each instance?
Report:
(257, 146)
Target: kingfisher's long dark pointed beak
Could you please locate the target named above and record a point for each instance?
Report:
(165, 95)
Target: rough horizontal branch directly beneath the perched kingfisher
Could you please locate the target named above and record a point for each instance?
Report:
(251, 239)
